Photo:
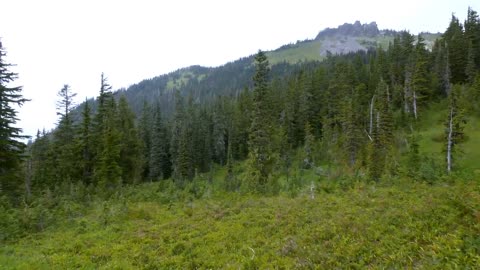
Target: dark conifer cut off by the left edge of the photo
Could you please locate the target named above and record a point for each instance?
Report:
(11, 149)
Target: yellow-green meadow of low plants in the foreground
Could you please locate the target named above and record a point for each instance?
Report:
(405, 225)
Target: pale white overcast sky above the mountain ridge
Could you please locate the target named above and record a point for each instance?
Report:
(53, 43)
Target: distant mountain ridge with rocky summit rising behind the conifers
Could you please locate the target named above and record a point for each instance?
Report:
(204, 83)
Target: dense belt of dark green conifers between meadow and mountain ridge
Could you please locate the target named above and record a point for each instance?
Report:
(358, 112)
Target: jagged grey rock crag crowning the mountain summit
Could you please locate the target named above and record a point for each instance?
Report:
(352, 30)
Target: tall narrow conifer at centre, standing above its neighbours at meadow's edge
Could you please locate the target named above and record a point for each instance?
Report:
(259, 163)
